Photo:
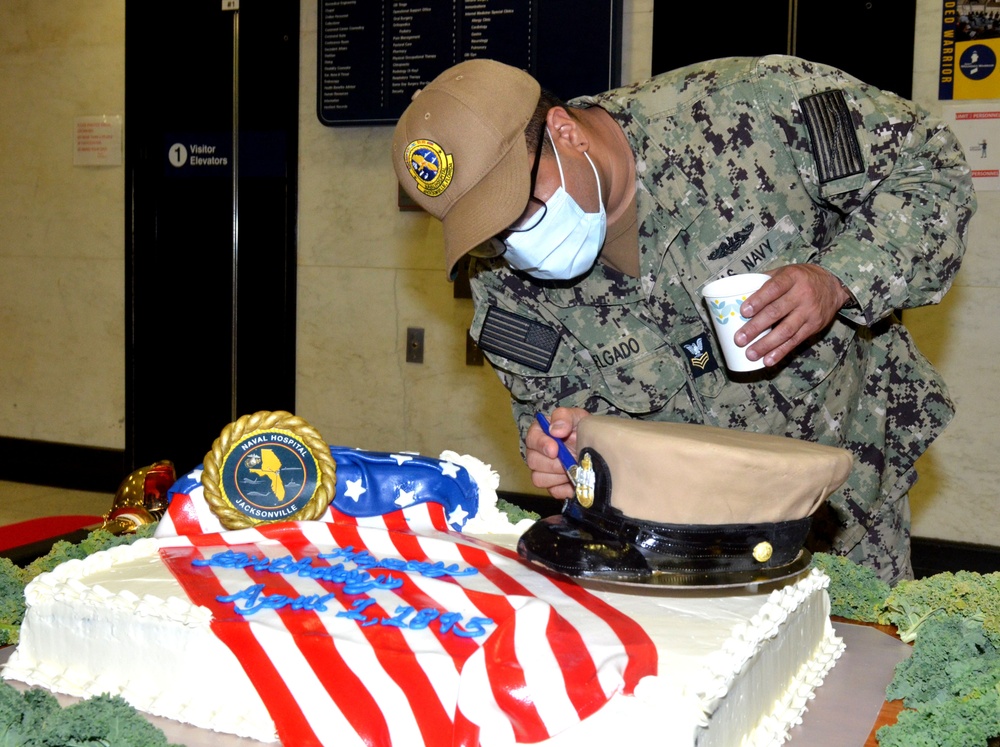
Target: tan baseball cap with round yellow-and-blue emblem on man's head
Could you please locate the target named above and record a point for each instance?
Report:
(460, 153)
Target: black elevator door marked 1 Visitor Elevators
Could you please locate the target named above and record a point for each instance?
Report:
(211, 102)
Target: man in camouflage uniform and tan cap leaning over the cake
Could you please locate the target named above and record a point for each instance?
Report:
(855, 201)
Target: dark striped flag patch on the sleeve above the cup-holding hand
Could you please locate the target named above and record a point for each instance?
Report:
(834, 139)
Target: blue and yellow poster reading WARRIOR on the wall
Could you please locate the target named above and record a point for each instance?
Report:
(970, 46)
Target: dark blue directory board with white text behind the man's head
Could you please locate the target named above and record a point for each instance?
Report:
(374, 54)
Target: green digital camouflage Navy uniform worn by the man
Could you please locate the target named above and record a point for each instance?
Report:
(746, 165)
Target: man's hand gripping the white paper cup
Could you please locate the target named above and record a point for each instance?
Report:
(798, 301)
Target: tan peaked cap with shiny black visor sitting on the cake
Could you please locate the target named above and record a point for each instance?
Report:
(675, 503)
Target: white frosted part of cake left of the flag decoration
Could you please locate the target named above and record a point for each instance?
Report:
(118, 622)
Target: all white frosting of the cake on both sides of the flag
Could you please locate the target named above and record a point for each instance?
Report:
(733, 669)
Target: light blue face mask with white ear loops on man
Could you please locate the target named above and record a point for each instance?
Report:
(566, 241)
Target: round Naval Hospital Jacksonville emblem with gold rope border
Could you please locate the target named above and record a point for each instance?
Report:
(268, 467)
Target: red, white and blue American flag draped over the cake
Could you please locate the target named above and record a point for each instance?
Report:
(382, 619)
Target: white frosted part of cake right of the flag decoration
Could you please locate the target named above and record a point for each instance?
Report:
(736, 670)
